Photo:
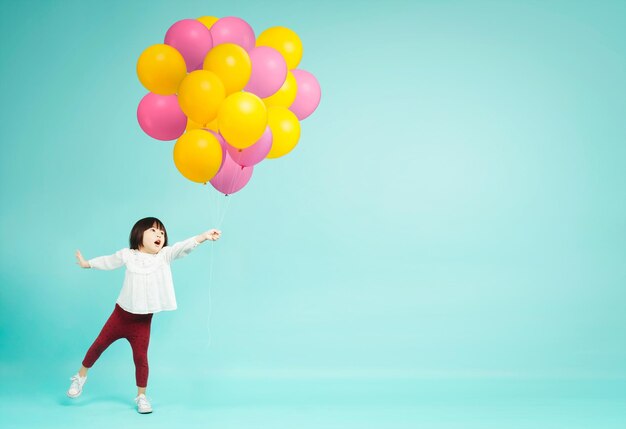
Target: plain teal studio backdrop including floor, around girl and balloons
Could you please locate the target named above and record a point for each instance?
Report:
(443, 249)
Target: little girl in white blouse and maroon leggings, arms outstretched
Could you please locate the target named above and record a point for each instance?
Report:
(147, 289)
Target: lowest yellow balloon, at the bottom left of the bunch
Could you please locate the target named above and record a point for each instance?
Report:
(198, 155)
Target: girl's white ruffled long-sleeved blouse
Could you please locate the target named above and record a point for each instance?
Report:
(148, 285)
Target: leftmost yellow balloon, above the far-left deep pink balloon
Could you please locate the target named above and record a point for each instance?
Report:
(160, 69)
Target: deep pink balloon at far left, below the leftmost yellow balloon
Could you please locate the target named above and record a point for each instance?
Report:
(160, 116)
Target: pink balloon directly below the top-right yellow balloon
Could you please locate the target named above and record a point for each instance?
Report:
(269, 71)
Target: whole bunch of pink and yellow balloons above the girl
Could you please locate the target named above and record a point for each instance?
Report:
(230, 99)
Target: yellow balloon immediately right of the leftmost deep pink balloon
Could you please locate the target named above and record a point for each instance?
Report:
(200, 95)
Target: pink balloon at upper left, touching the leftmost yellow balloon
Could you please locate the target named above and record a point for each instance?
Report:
(192, 39)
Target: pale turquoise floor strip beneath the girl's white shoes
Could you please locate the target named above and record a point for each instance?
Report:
(200, 401)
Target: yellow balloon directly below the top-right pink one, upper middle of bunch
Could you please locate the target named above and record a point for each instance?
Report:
(231, 64)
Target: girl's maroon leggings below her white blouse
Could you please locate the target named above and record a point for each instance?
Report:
(136, 329)
